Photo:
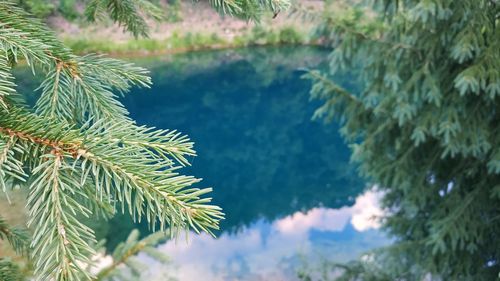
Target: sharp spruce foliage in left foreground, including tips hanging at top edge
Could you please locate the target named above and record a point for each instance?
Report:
(78, 152)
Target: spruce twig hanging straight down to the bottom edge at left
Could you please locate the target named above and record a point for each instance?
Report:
(60, 242)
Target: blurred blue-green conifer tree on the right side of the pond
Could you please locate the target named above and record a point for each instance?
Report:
(425, 128)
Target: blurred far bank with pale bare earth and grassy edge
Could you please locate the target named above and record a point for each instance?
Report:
(195, 26)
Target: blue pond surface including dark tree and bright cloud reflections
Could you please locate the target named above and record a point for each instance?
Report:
(283, 180)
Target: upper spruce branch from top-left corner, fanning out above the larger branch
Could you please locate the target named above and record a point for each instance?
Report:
(69, 78)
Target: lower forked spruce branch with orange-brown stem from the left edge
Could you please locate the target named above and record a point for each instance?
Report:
(130, 168)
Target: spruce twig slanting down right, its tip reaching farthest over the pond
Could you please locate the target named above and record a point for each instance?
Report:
(162, 191)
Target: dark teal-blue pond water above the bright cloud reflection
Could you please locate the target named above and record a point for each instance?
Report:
(251, 124)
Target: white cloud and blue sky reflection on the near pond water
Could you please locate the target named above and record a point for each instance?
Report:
(269, 251)
